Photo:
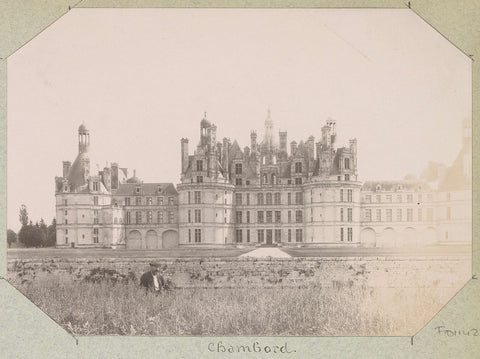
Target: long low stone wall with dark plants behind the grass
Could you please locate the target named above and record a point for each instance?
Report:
(399, 272)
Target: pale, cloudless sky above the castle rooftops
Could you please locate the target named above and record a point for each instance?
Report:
(141, 80)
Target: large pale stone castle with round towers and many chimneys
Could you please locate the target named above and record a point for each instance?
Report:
(263, 194)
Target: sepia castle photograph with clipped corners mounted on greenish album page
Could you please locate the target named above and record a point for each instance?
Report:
(239, 172)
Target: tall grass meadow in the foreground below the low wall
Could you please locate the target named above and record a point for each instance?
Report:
(104, 308)
